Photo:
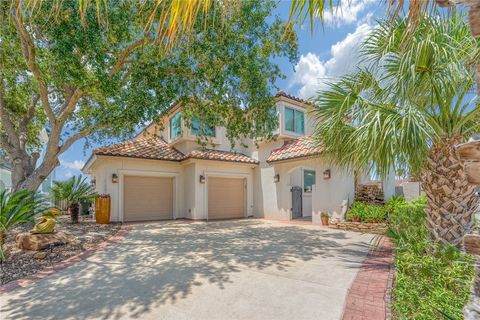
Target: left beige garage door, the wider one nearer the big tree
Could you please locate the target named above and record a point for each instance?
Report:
(148, 198)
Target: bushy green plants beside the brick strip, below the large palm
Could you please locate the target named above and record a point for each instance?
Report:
(429, 277)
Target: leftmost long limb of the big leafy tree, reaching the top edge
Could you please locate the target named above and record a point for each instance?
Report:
(28, 49)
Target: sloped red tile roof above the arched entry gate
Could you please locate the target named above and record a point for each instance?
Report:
(296, 148)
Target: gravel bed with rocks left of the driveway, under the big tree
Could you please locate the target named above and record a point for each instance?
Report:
(84, 235)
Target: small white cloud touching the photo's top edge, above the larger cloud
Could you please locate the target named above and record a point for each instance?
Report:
(347, 12)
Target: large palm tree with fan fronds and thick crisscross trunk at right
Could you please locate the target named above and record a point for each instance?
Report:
(409, 109)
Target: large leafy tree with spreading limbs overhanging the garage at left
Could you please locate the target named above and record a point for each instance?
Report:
(64, 69)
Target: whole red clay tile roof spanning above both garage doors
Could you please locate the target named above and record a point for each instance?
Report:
(157, 149)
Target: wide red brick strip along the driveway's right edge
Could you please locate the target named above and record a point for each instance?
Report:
(367, 297)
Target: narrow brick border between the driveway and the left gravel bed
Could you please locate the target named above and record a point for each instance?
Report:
(28, 280)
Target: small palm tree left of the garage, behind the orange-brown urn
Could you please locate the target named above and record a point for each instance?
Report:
(73, 191)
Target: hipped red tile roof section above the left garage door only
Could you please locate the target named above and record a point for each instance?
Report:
(147, 148)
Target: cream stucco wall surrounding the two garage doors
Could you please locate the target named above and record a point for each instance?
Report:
(189, 194)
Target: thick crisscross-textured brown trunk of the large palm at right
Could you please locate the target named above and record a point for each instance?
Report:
(451, 199)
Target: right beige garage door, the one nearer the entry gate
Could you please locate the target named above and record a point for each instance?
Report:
(226, 198)
